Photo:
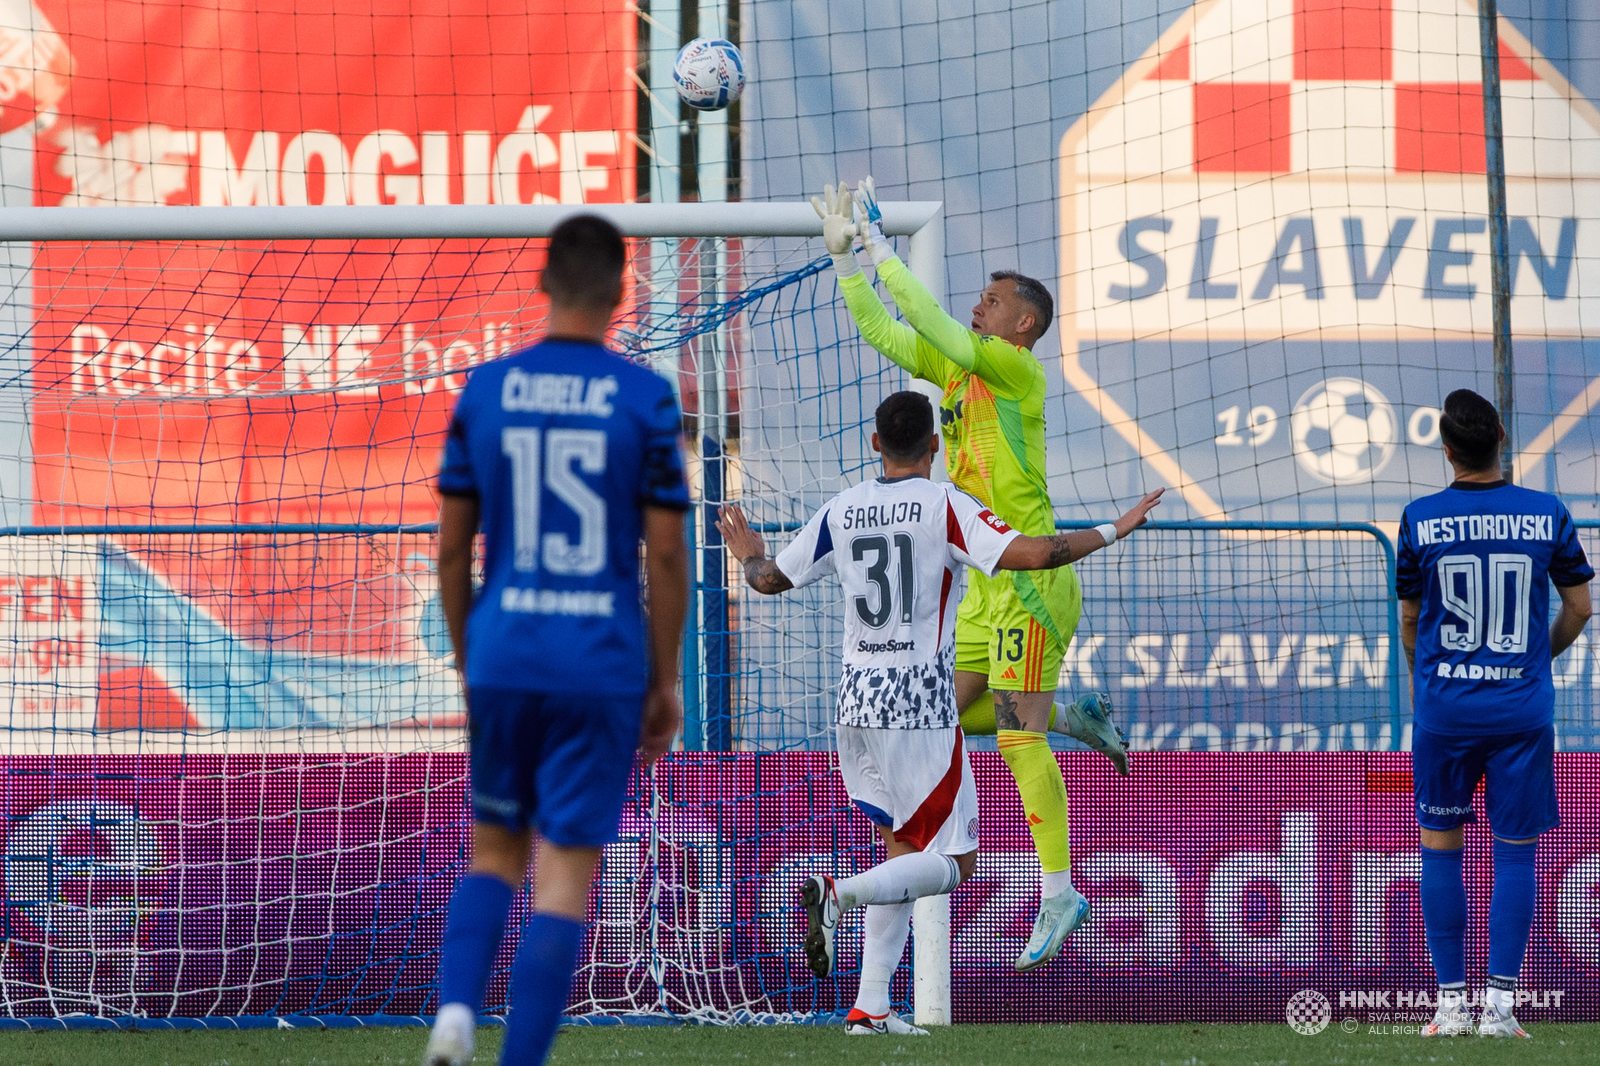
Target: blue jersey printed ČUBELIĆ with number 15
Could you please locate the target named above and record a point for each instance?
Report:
(564, 444)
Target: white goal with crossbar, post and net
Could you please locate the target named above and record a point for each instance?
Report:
(265, 620)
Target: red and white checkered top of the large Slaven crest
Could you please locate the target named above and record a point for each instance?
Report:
(1382, 87)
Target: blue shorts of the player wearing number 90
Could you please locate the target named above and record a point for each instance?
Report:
(1518, 772)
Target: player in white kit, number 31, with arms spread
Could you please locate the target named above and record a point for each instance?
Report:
(897, 545)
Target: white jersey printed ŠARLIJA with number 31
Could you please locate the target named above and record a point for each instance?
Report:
(897, 545)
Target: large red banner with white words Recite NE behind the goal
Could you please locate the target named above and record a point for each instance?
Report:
(292, 382)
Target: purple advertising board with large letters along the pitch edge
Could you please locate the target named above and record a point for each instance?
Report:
(1223, 886)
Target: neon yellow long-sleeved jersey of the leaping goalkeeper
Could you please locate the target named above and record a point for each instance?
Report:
(993, 412)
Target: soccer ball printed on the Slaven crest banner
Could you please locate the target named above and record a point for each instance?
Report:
(1345, 431)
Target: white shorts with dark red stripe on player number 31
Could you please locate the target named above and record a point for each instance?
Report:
(914, 782)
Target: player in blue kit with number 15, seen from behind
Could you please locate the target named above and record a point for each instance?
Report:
(567, 455)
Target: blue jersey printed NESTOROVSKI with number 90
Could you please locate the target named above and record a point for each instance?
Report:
(1482, 559)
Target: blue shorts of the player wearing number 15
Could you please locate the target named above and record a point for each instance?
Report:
(553, 761)
